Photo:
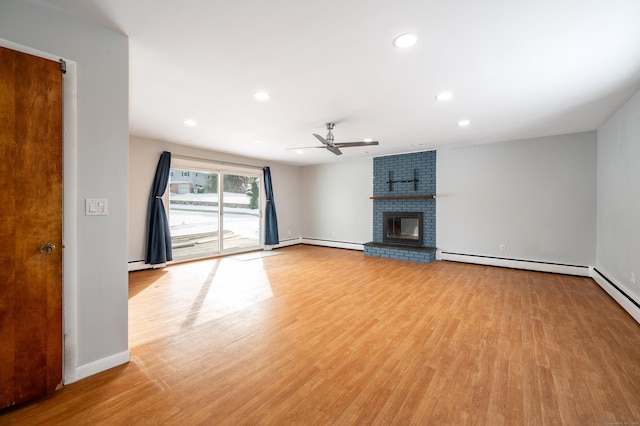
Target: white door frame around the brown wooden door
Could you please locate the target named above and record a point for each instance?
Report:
(69, 210)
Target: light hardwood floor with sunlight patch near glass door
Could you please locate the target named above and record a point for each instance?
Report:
(328, 336)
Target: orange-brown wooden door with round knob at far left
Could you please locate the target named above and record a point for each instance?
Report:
(30, 218)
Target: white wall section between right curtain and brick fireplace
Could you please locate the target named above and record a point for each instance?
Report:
(335, 200)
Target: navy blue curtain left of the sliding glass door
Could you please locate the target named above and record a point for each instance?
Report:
(158, 233)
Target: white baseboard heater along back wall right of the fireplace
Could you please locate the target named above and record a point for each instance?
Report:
(530, 265)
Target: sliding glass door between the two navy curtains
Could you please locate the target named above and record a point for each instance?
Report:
(211, 211)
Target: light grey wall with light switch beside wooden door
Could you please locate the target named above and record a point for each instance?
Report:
(96, 155)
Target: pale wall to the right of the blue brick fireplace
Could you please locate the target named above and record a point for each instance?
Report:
(536, 196)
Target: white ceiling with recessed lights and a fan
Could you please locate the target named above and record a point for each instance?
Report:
(517, 69)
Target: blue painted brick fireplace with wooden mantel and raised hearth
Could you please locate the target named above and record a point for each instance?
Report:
(404, 183)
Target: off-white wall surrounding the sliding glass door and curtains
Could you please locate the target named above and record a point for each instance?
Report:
(143, 159)
